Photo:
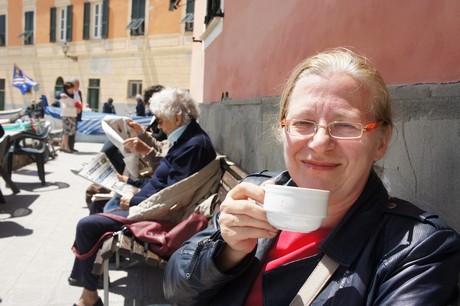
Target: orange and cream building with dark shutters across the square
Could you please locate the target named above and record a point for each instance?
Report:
(116, 48)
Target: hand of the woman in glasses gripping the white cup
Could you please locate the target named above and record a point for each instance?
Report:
(242, 222)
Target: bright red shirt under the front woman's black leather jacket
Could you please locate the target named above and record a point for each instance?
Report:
(289, 247)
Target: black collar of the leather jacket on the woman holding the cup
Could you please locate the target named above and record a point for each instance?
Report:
(348, 238)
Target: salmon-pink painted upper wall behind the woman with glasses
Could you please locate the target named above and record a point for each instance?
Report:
(412, 41)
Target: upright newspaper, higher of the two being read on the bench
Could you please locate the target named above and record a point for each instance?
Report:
(117, 130)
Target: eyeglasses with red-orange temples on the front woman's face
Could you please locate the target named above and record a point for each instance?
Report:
(337, 129)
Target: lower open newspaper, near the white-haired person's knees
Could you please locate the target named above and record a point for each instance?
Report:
(101, 171)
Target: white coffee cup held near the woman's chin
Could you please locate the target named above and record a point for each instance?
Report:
(295, 209)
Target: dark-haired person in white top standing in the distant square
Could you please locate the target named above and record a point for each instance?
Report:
(68, 115)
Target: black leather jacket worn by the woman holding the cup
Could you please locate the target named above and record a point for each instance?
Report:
(389, 251)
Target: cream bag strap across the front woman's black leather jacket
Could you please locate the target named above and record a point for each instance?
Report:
(315, 282)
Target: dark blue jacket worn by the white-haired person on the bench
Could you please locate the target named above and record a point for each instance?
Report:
(191, 152)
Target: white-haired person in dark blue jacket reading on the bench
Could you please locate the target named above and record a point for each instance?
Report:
(191, 150)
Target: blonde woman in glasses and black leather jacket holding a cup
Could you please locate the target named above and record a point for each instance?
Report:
(335, 122)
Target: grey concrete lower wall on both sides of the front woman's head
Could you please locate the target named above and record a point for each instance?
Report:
(422, 164)
